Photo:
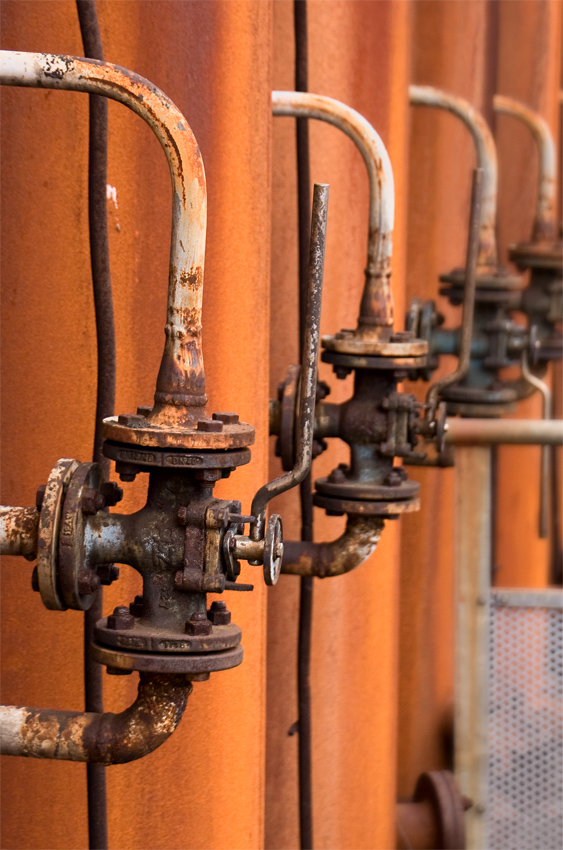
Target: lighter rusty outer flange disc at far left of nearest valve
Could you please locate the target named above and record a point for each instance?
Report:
(48, 537)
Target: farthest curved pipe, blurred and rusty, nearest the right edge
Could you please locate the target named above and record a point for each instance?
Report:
(544, 221)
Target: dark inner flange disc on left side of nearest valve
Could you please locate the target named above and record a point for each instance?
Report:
(87, 479)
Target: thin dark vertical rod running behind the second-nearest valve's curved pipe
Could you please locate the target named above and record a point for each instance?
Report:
(305, 491)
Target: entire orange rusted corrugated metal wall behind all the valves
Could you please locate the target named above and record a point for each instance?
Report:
(382, 642)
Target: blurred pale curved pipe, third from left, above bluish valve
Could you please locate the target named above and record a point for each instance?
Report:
(485, 150)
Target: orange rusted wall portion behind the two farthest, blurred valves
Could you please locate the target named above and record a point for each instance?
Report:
(470, 49)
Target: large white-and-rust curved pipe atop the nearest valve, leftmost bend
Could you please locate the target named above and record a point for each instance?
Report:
(181, 379)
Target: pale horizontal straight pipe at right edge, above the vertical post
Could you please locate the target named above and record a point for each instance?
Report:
(519, 432)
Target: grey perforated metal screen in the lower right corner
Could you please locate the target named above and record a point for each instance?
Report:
(525, 810)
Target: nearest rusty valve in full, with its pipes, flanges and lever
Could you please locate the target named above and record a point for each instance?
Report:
(184, 542)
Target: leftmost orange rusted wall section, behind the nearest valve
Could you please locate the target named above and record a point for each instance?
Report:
(204, 788)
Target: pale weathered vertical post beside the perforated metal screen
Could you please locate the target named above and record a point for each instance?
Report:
(473, 572)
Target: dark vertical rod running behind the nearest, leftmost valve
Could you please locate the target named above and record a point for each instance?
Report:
(105, 391)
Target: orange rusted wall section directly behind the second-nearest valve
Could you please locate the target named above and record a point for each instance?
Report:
(359, 53)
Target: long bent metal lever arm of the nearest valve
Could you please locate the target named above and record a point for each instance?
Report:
(307, 394)
